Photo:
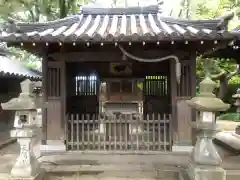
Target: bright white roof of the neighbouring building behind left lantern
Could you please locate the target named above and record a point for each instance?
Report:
(13, 68)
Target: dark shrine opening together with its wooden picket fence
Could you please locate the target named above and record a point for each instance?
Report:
(115, 112)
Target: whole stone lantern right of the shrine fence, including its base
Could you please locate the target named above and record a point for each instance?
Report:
(205, 160)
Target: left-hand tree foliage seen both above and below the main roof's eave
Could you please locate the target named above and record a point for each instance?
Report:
(36, 11)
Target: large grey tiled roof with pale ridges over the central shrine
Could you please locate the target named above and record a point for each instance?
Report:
(116, 24)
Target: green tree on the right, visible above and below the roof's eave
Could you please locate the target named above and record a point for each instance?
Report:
(221, 70)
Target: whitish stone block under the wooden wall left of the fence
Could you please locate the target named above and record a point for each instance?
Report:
(53, 146)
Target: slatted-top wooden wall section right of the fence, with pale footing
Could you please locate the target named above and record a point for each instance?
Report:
(184, 115)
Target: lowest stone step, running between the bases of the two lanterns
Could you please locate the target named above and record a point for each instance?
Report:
(112, 171)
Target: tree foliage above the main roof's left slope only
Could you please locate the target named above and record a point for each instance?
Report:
(40, 10)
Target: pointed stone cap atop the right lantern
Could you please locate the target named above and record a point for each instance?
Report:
(207, 101)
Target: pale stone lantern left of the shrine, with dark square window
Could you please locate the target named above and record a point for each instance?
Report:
(26, 165)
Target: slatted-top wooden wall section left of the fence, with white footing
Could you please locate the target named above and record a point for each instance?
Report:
(54, 135)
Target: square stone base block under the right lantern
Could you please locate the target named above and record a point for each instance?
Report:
(200, 172)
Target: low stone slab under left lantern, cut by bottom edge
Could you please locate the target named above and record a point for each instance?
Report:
(39, 176)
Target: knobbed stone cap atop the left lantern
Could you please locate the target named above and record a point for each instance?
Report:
(25, 101)
